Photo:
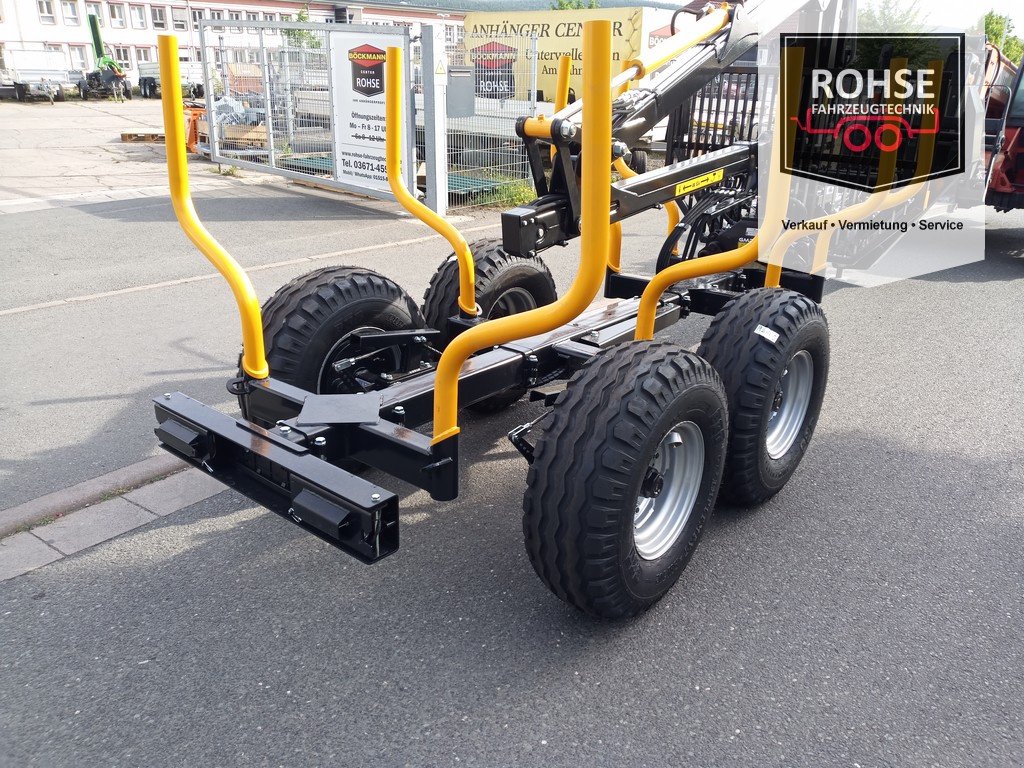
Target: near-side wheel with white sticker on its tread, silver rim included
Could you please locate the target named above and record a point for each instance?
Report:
(771, 348)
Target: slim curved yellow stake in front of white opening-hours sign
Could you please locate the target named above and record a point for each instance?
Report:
(393, 136)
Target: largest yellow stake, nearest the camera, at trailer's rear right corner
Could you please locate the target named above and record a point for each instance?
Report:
(596, 205)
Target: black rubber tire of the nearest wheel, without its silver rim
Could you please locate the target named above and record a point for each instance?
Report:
(580, 486)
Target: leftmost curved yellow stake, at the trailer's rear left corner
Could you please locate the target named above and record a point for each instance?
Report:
(253, 354)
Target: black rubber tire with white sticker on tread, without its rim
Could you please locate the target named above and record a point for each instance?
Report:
(750, 367)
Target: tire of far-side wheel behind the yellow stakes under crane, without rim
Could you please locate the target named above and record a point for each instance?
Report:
(441, 301)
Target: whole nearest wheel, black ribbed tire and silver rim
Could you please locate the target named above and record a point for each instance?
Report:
(625, 478)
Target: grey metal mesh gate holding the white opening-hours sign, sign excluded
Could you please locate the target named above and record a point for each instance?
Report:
(271, 105)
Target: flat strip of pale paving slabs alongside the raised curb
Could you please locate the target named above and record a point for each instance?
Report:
(87, 528)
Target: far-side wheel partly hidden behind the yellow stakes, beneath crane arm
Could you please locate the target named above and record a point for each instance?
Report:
(505, 285)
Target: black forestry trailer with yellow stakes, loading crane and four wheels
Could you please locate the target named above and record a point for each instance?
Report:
(340, 367)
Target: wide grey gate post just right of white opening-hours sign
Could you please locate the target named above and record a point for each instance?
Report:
(434, 61)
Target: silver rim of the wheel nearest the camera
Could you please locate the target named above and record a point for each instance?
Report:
(669, 491)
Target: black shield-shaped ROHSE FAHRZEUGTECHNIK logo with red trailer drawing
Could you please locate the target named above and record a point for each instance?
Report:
(873, 112)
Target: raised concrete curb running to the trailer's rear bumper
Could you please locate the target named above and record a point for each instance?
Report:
(91, 492)
